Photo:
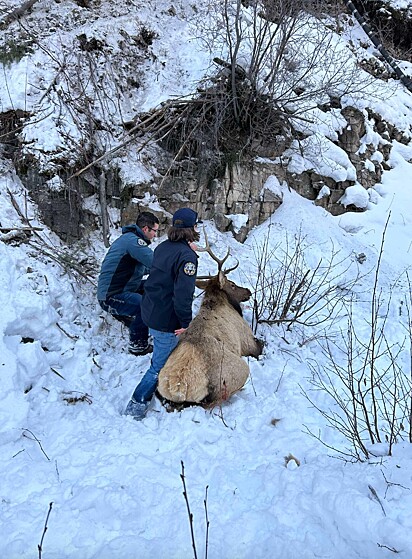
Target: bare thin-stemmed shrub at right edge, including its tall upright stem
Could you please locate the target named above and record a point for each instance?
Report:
(365, 376)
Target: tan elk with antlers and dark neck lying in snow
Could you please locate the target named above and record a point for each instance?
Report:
(207, 366)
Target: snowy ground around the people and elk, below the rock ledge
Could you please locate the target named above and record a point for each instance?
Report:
(115, 484)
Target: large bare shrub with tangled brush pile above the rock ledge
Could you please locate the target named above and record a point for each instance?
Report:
(277, 62)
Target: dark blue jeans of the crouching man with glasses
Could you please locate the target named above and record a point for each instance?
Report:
(126, 308)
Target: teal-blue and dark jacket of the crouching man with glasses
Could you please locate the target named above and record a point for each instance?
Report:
(127, 261)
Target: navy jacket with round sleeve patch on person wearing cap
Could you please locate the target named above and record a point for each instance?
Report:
(168, 291)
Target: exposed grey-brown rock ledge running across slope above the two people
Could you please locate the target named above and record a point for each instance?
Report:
(237, 195)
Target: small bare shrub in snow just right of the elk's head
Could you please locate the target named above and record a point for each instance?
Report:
(289, 291)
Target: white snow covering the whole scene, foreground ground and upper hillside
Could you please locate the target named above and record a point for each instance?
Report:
(114, 485)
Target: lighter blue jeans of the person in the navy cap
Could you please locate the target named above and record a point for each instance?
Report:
(163, 345)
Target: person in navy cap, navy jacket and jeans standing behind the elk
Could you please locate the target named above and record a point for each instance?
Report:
(167, 301)
